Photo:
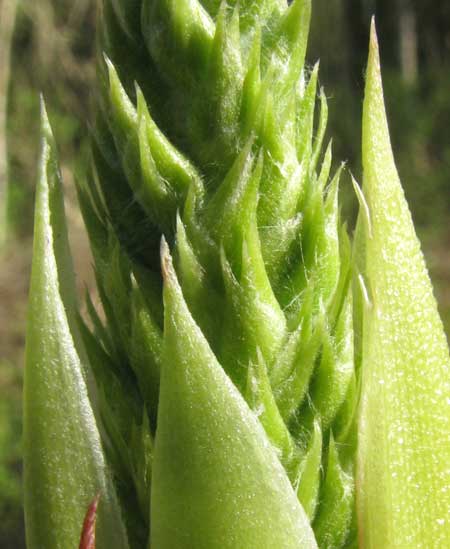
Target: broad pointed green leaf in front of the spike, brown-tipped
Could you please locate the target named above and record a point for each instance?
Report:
(217, 481)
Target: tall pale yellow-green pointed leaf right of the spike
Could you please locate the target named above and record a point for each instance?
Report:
(404, 426)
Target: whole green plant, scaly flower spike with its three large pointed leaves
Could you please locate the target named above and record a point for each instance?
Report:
(228, 382)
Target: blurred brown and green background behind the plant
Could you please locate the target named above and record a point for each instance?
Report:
(48, 46)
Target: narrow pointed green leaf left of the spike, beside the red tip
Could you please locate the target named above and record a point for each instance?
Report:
(64, 466)
